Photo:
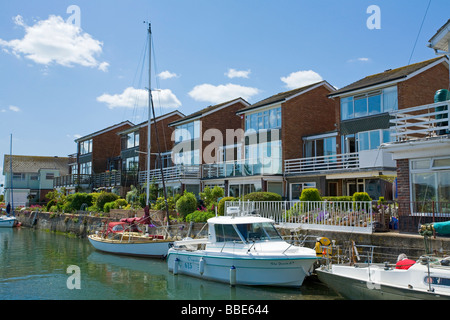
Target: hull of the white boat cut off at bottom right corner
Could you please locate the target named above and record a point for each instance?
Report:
(358, 288)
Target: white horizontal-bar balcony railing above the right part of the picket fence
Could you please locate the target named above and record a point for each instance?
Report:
(342, 161)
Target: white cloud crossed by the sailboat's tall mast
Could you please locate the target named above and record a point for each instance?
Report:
(132, 97)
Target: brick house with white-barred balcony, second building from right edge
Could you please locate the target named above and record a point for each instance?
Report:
(363, 113)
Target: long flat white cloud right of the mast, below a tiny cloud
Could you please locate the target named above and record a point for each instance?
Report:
(221, 93)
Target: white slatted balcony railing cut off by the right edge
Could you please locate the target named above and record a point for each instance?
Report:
(420, 122)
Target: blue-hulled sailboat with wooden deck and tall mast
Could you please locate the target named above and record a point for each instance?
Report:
(125, 237)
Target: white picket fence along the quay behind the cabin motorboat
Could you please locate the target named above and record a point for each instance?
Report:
(348, 216)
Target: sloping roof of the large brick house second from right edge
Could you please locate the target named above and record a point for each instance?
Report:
(388, 75)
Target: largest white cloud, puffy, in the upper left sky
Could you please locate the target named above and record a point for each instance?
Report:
(53, 41)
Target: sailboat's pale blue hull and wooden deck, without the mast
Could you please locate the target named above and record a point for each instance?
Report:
(121, 238)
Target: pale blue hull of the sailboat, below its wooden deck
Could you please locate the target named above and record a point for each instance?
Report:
(150, 249)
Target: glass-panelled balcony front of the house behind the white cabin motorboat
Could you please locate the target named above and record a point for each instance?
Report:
(241, 168)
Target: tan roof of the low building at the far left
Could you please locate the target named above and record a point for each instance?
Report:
(32, 164)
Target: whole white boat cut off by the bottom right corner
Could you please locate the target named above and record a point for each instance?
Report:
(427, 278)
